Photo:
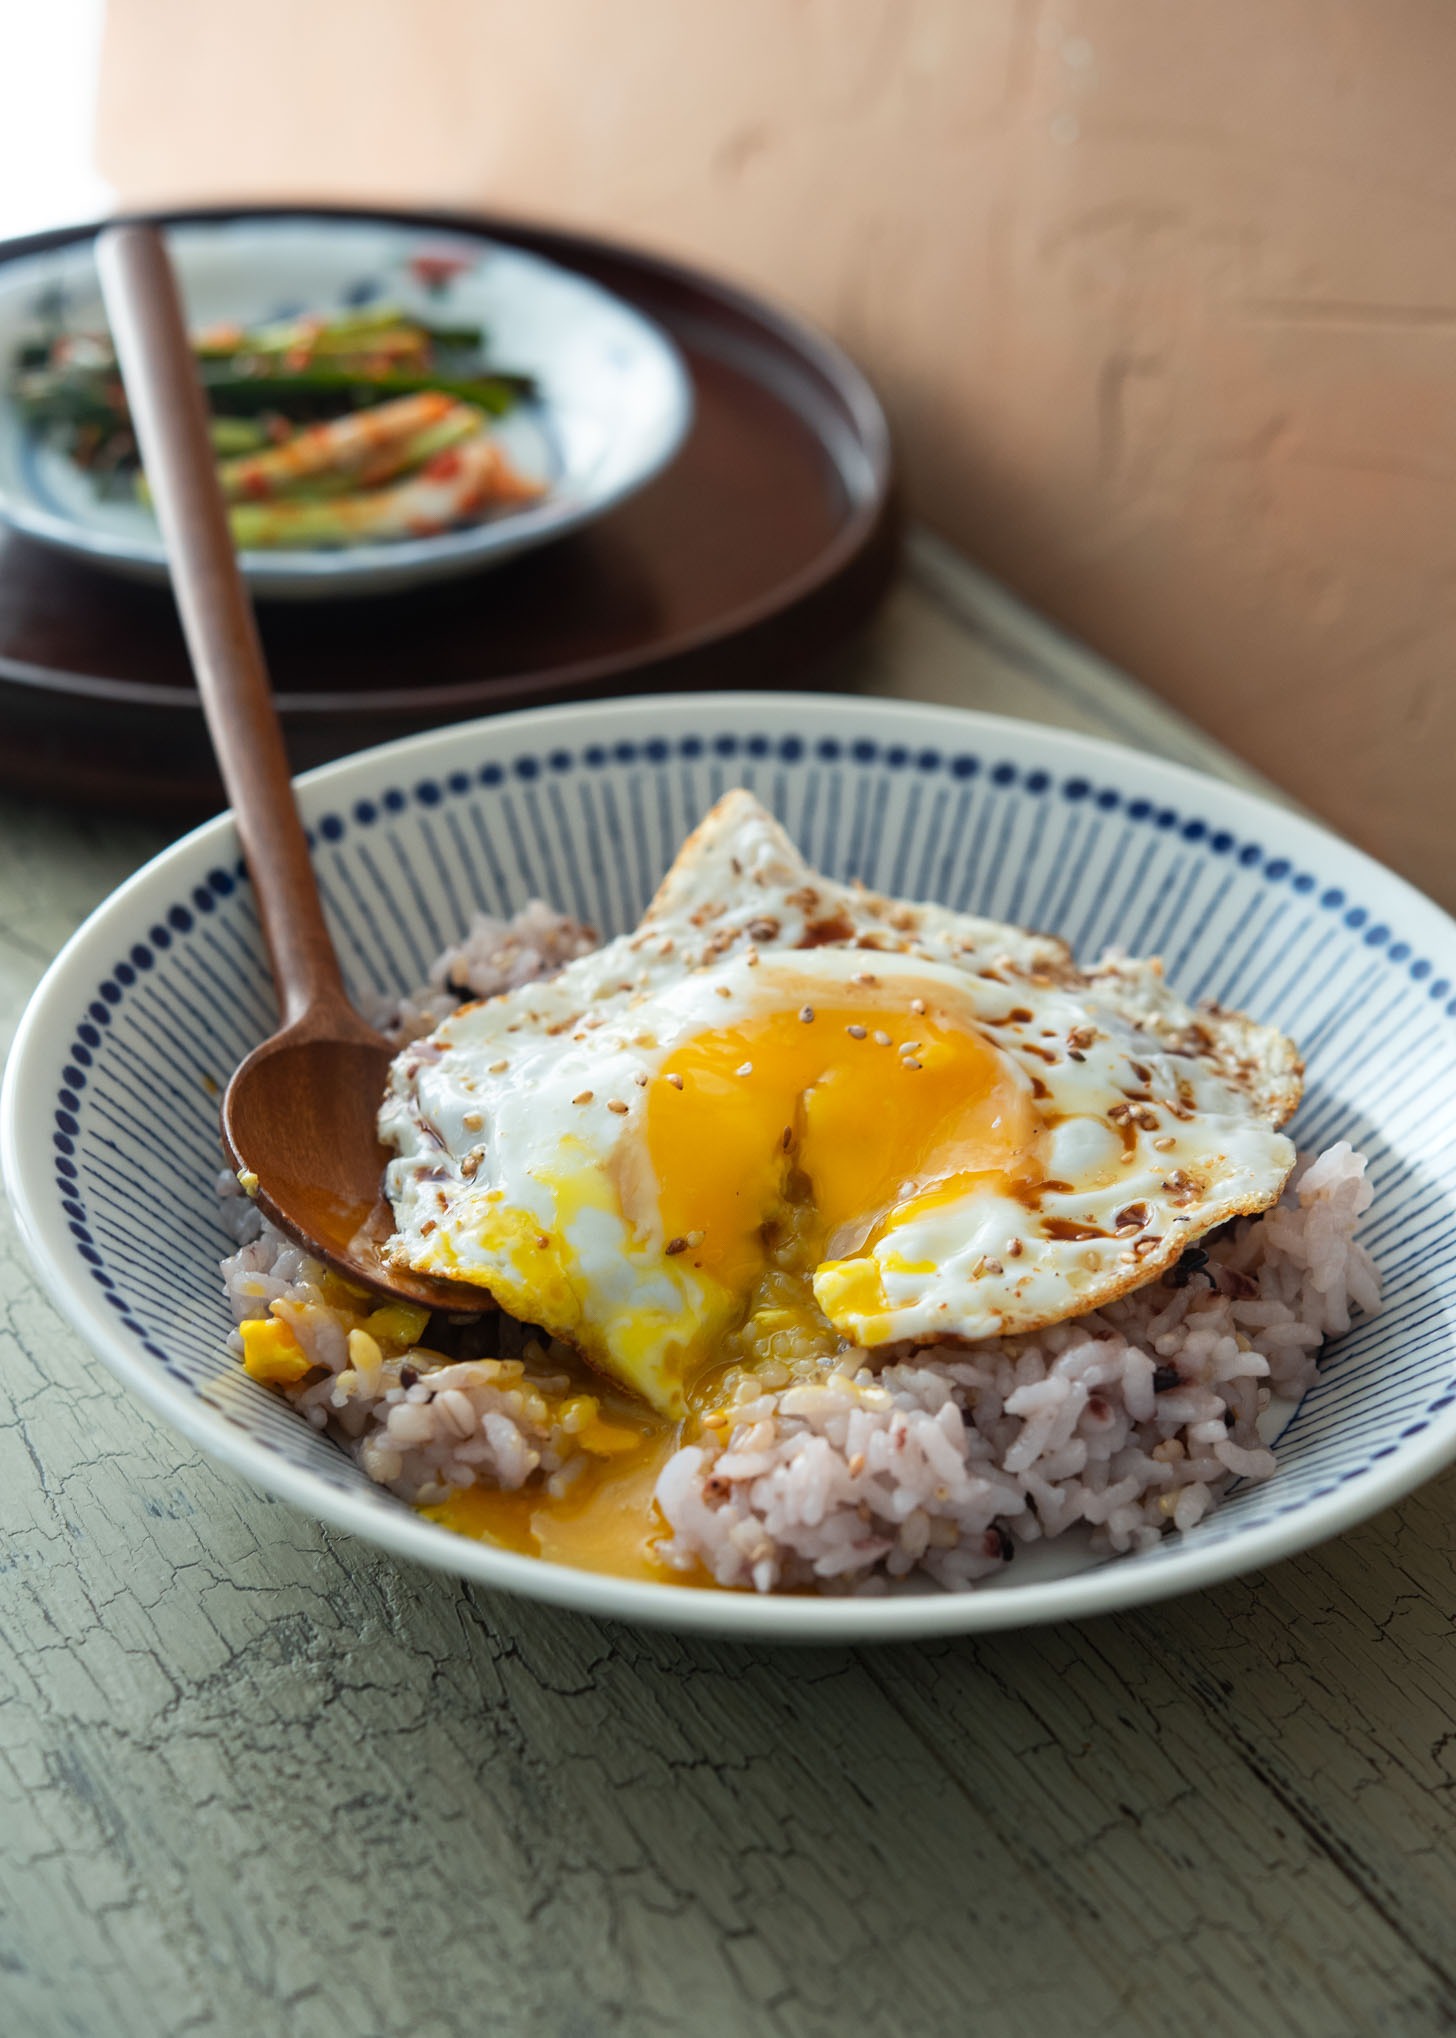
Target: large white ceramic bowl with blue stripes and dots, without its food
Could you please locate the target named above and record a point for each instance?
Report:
(109, 1116)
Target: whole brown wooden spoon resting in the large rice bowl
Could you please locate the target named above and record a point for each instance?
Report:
(299, 1118)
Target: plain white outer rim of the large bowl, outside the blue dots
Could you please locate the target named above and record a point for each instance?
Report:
(1110, 1587)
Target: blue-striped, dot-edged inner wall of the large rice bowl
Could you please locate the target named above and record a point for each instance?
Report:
(592, 833)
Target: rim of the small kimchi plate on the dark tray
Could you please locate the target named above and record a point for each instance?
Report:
(401, 561)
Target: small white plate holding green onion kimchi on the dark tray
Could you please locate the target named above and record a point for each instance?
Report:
(611, 411)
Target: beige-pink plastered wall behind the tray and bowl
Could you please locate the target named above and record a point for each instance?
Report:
(1161, 294)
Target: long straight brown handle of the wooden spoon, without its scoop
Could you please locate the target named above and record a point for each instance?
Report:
(217, 619)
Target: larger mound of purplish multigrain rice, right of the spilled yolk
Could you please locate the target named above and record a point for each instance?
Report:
(1125, 1424)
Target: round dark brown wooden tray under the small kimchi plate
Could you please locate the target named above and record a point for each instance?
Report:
(743, 566)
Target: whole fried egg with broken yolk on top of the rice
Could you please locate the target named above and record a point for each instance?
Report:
(784, 1097)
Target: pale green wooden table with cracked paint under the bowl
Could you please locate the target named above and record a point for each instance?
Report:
(258, 1778)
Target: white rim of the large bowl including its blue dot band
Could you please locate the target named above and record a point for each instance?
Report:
(1404, 930)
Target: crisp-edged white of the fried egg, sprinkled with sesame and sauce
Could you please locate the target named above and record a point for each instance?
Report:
(523, 1161)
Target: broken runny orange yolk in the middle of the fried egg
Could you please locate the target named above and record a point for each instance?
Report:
(855, 1110)
